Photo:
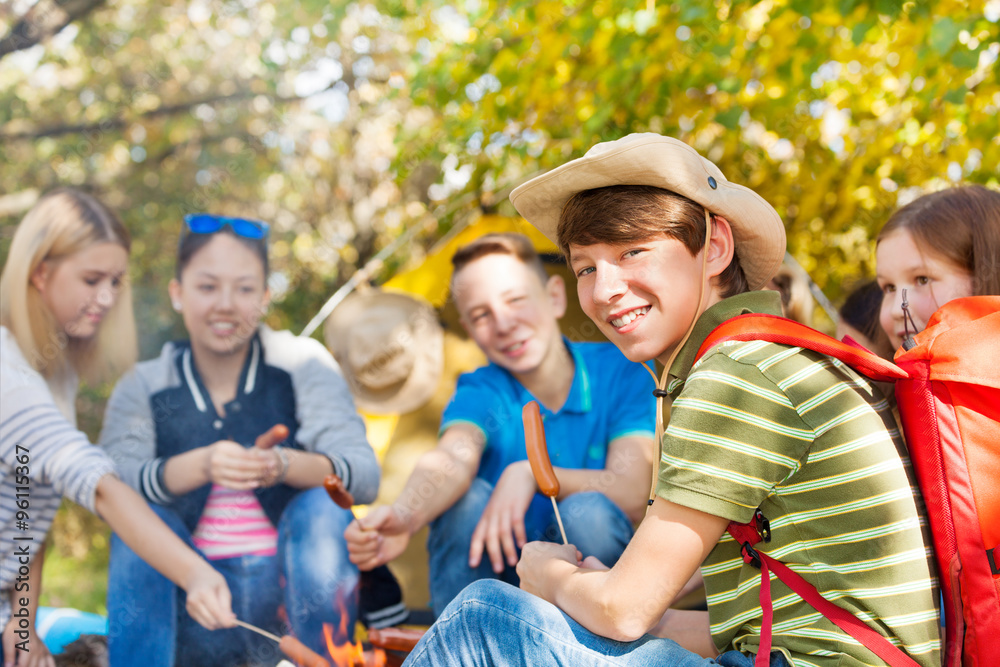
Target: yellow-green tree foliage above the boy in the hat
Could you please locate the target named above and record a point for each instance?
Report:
(835, 112)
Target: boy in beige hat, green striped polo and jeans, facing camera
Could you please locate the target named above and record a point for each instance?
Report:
(665, 249)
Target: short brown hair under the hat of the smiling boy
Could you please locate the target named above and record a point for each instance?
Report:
(628, 213)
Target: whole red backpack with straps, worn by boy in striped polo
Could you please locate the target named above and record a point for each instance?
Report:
(948, 391)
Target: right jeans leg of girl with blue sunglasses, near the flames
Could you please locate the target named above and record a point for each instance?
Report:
(321, 583)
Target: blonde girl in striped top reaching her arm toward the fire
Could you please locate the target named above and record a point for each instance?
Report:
(66, 313)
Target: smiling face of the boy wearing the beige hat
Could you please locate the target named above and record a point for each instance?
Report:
(643, 296)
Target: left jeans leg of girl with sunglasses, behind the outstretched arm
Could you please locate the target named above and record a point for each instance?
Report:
(142, 605)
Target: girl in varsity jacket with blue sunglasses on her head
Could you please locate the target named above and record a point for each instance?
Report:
(186, 431)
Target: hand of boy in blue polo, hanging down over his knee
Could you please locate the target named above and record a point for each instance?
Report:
(501, 528)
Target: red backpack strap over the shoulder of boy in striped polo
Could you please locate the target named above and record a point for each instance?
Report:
(781, 330)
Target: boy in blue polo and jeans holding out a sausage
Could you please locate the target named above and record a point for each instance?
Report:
(476, 489)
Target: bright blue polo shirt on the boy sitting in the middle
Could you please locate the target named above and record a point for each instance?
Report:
(611, 397)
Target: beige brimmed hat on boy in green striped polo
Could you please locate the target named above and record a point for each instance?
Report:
(663, 162)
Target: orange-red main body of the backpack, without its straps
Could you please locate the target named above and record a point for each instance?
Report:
(950, 409)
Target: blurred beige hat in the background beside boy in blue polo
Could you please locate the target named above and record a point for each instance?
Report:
(390, 347)
